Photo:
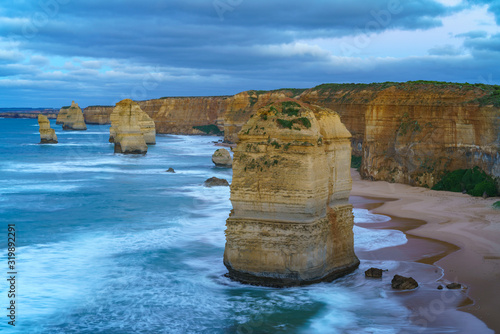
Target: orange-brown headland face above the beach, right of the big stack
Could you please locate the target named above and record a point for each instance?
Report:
(412, 136)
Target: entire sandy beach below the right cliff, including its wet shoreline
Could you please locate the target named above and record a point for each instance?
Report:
(454, 237)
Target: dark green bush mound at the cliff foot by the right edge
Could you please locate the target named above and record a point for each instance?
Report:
(474, 182)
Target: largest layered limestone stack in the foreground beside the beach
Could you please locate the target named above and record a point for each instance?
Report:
(291, 222)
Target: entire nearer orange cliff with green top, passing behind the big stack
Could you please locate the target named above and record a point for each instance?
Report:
(406, 132)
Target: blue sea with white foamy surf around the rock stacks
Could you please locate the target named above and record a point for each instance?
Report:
(111, 243)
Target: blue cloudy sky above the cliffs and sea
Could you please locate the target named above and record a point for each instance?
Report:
(98, 52)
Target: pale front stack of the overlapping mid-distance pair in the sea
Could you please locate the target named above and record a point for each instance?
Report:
(125, 130)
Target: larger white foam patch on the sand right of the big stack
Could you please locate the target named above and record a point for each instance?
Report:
(369, 239)
